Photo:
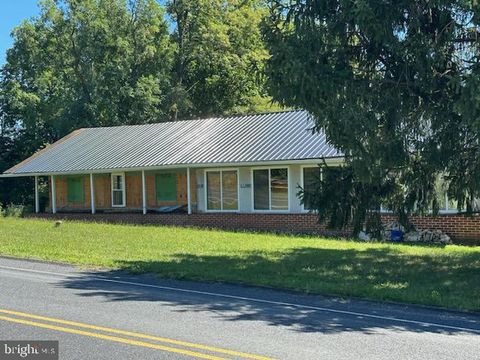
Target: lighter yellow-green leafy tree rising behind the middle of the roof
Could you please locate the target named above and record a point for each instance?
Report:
(219, 57)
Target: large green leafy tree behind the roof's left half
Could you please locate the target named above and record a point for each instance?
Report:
(88, 63)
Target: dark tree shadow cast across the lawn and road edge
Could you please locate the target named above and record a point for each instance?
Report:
(381, 274)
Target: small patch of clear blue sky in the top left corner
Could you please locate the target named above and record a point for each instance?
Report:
(12, 13)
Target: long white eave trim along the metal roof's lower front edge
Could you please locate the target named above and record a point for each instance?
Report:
(278, 163)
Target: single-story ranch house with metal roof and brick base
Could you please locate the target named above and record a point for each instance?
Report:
(239, 172)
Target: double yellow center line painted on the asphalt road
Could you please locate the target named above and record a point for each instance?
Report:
(185, 348)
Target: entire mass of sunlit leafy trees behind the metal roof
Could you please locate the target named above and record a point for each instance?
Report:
(87, 63)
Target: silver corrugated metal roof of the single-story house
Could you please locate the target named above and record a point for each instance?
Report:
(232, 140)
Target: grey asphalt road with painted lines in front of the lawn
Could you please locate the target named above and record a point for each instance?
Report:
(113, 315)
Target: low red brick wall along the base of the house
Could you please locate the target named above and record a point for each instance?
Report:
(457, 226)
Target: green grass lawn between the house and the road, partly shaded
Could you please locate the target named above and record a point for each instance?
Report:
(444, 276)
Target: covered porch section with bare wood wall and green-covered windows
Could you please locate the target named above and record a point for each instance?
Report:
(155, 191)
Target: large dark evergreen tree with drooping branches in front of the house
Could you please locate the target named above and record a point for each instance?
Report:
(394, 84)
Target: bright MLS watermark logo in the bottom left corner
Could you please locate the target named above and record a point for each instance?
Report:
(38, 350)
